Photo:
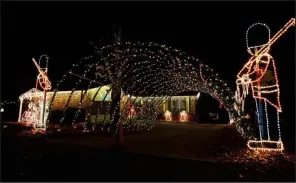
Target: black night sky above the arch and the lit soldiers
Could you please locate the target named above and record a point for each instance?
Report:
(212, 31)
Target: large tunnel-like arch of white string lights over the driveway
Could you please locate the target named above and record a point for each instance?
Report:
(150, 73)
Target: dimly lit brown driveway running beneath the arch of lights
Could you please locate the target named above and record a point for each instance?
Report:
(190, 141)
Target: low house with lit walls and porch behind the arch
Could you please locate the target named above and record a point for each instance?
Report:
(94, 105)
